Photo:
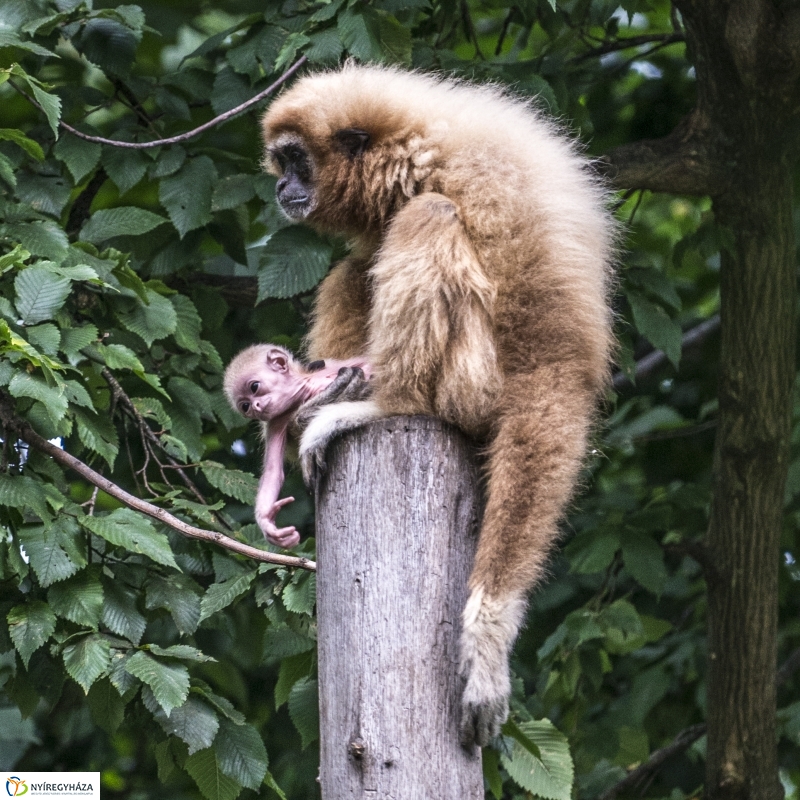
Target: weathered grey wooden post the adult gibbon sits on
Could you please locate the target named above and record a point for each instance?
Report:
(397, 522)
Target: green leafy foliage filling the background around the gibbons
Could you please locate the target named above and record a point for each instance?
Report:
(128, 277)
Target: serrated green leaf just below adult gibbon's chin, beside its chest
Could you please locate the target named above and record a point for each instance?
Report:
(293, 261)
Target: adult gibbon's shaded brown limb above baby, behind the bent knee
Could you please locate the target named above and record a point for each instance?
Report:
(339, 317)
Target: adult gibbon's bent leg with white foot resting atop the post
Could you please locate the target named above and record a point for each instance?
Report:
(430, 330)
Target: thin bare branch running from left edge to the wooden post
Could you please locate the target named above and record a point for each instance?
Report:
(11, 422)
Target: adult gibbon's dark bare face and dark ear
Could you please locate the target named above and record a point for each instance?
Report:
(296, 190)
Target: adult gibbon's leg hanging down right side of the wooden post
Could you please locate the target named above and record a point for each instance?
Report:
(534, 459)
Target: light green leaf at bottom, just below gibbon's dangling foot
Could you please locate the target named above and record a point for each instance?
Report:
(549, 776)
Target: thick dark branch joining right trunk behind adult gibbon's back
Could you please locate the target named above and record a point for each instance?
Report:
(680, 163)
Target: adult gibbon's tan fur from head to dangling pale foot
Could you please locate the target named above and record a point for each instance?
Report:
(477, 287)
